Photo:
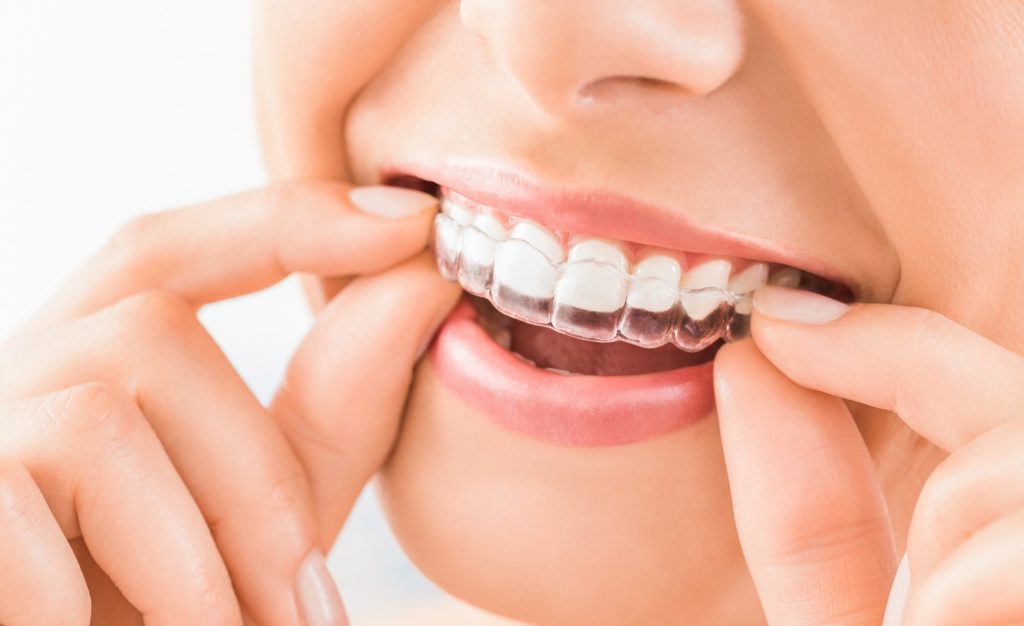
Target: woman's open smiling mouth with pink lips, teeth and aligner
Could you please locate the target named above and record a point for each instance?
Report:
(588, 319)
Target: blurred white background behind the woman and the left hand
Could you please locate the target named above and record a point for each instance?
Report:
(114, 108)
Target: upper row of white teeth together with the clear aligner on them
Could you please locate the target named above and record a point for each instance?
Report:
(589, 293)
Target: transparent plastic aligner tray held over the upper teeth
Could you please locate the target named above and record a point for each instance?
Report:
(586, 299)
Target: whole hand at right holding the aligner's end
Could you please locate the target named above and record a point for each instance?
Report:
(809, 508)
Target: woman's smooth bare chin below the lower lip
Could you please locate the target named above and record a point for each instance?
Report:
(558, 535)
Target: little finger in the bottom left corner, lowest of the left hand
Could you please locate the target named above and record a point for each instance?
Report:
(36, 561)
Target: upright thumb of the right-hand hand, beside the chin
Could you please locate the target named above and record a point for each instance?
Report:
(809, 511)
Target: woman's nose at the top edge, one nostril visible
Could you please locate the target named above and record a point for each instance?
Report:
(570, 53)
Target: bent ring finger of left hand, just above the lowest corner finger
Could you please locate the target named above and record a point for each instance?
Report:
(107, 479)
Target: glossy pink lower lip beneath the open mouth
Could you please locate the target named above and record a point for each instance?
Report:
(562, 409)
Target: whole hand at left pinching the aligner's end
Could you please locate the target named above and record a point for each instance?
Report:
(124, 429)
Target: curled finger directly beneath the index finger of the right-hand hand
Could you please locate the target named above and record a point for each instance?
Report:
(972, 488)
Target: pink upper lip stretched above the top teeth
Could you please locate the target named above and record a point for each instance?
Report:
(610, 215)
